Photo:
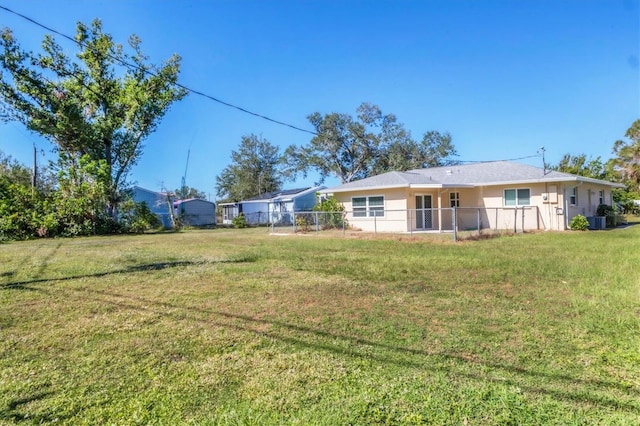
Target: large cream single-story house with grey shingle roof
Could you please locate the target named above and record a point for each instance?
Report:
(497, 195)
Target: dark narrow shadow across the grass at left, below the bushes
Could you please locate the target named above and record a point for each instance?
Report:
(156, 266)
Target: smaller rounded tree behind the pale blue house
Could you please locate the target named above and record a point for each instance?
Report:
(254, 170)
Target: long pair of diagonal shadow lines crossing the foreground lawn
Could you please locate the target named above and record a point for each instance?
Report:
(557, 385)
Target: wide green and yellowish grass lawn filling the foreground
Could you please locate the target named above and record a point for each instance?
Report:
(242, 327)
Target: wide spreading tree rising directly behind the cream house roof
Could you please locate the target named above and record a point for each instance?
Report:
(372, 143)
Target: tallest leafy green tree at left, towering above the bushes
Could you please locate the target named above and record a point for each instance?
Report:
(103, 105)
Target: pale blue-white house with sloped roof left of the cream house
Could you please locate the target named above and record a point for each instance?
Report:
(272, 207)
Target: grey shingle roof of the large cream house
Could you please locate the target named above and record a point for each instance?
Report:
(467, 175)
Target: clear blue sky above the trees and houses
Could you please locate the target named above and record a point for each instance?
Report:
(504, 78)
